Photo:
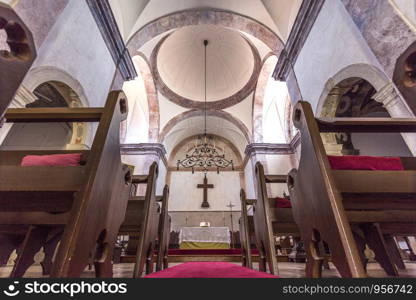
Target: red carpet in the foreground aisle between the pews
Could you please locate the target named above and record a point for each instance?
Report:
(209, 270)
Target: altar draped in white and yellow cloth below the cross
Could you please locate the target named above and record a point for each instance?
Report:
(204, 238)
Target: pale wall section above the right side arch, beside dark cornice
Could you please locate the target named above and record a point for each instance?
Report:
(333, 44)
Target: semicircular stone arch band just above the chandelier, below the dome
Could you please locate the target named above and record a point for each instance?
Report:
(210, 113)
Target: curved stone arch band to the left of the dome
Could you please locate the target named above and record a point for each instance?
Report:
(152, 96)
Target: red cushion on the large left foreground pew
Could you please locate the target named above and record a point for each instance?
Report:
(64, 160)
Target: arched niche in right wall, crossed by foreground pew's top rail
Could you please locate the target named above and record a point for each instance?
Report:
(354, 92)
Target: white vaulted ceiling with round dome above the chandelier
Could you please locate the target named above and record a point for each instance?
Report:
(169, 35)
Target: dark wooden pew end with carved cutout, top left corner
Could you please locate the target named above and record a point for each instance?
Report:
(14, 64)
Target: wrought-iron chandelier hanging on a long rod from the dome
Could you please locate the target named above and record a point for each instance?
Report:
(205, 155)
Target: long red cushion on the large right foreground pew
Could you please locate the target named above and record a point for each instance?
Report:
(365, 163)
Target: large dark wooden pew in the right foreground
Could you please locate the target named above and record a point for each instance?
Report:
(328, 204)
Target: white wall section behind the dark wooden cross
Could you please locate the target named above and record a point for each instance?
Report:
(185, 196)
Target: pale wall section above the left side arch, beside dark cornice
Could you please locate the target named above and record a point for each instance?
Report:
(75, 46)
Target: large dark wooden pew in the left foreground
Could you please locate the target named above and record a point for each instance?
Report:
(86, 202)
